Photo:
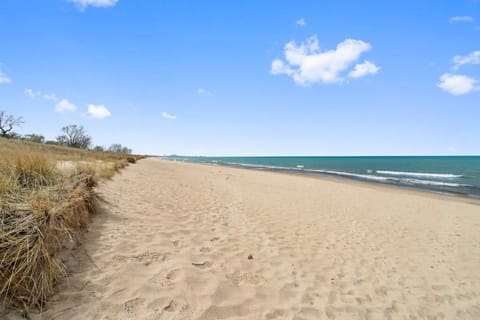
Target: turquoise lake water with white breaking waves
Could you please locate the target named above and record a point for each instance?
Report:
(446, 174)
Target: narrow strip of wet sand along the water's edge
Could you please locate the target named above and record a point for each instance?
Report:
(343, 179)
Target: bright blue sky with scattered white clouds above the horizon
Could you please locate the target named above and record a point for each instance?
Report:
(270, 77)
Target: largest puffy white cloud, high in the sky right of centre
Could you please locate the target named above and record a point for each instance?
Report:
(306, 64)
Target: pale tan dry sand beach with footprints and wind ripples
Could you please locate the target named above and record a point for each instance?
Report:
(191, 241)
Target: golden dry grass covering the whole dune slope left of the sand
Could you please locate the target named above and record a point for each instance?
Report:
(46, 199)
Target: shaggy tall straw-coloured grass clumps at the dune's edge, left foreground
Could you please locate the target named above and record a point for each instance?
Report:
(35, 225)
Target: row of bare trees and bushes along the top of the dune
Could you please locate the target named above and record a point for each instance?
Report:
(71, 135)
